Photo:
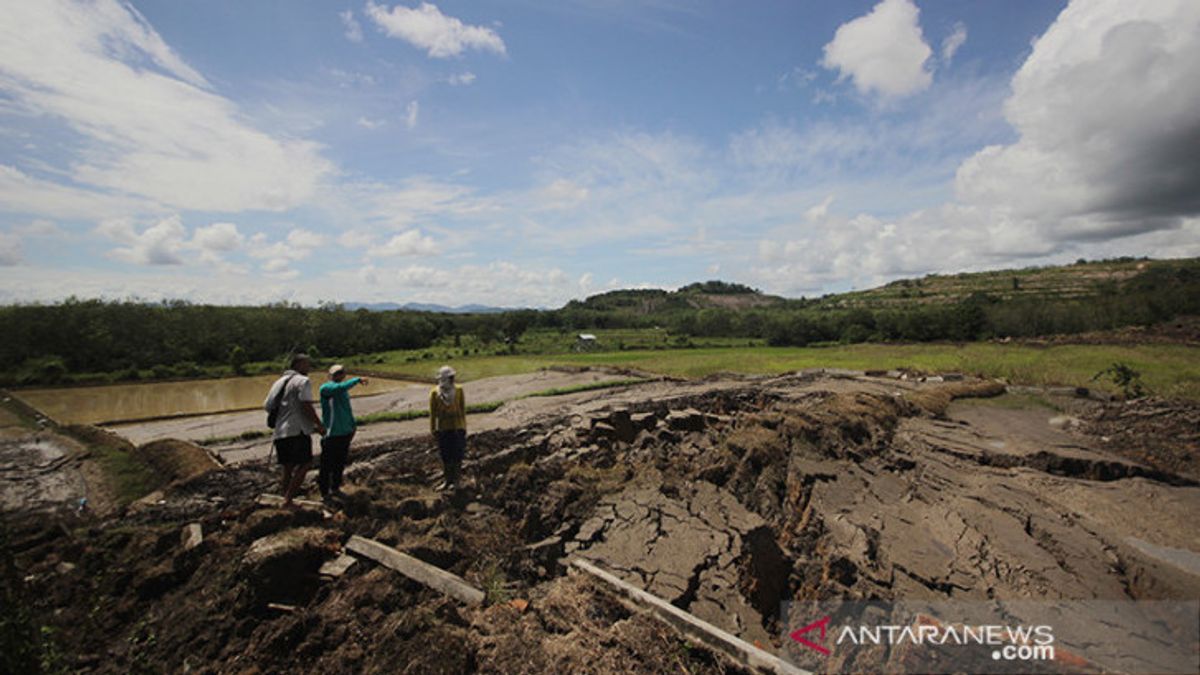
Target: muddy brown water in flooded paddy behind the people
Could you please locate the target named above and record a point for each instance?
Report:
(133, 402)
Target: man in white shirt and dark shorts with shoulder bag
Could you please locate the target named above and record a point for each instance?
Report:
(295, 425)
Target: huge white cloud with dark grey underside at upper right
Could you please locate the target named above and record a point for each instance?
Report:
(1108, 112)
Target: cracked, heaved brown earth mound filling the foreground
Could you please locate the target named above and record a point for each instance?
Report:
(723, 501)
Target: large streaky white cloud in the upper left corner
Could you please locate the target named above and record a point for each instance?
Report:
(182, 145)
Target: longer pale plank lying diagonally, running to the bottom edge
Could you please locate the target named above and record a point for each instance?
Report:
(736, 648)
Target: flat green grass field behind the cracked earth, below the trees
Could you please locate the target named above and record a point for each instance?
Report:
(1167, 371)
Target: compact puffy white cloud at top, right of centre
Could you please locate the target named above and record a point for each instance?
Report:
(883, 52)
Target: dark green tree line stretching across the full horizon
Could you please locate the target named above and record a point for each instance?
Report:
(178, 339)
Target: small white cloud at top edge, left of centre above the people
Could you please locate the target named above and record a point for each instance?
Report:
(429, 29)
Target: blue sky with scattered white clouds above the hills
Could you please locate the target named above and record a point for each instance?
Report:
(525, 153)
